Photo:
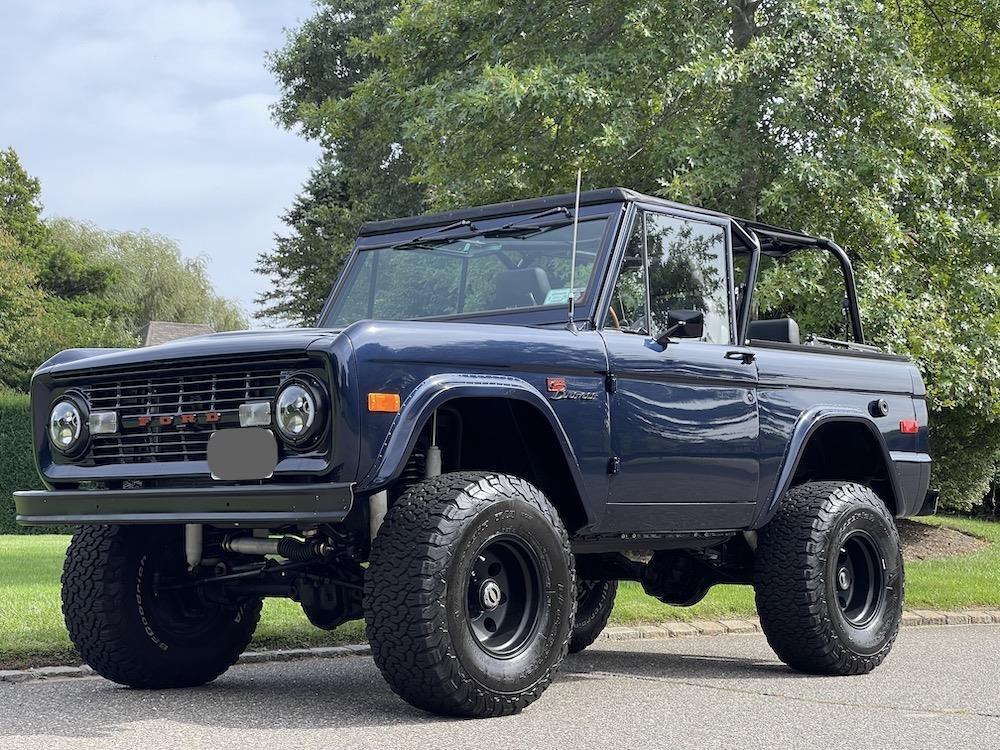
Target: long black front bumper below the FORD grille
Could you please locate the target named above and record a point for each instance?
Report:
(243, 505)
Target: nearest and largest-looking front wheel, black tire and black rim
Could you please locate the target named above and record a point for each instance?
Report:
(469, 595)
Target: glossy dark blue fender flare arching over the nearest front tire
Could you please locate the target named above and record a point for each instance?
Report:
(437, 390)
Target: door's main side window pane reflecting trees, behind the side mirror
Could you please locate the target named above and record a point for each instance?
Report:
(688, 270)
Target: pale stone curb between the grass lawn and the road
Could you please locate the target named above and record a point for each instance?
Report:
(677, 629)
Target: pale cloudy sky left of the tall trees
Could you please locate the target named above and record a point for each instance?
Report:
(154, 114)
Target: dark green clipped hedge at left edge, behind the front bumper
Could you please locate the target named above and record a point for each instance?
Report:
(17, 463)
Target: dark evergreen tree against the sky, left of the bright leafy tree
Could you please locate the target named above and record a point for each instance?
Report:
(363, 173)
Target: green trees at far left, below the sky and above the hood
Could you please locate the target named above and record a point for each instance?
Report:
(65, 284)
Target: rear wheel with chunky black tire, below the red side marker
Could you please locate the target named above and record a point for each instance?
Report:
(829, 579)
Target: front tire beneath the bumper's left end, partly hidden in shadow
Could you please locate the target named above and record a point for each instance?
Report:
(129, 628)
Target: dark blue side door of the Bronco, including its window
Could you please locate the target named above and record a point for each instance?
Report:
(684, 423)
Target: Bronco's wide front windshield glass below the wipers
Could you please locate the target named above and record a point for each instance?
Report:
(430, 277)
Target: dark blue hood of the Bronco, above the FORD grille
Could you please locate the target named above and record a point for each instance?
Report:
(212, 345)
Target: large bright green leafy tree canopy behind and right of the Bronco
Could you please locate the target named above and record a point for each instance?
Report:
(878, 125)
